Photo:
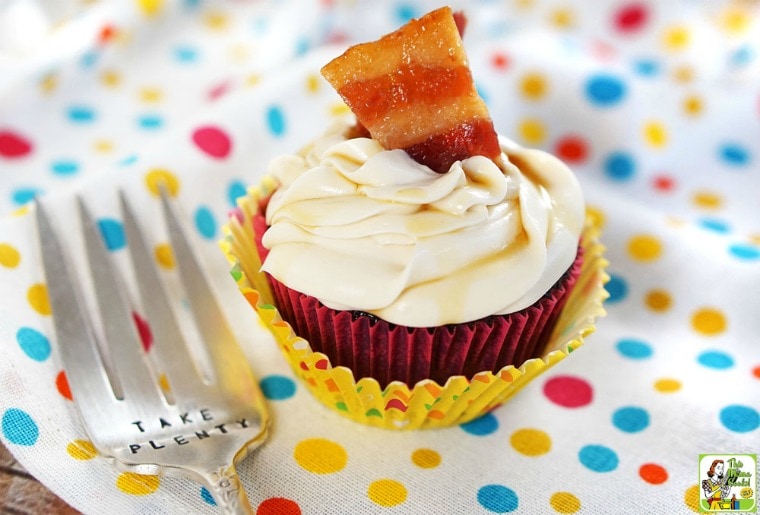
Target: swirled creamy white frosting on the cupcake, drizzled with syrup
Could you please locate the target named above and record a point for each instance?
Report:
(367, 229)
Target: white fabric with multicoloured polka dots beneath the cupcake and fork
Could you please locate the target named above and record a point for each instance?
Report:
(654, 105)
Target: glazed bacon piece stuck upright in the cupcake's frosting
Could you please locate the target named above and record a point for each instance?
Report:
(412, 89)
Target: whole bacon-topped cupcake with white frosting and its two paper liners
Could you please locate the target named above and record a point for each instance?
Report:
(417, 268)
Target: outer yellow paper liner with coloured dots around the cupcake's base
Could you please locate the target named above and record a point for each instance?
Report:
(427, 404)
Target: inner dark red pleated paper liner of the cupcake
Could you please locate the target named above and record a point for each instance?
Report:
(372, 347)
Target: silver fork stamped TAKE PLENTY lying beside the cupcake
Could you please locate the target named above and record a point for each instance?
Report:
(200, 424)
